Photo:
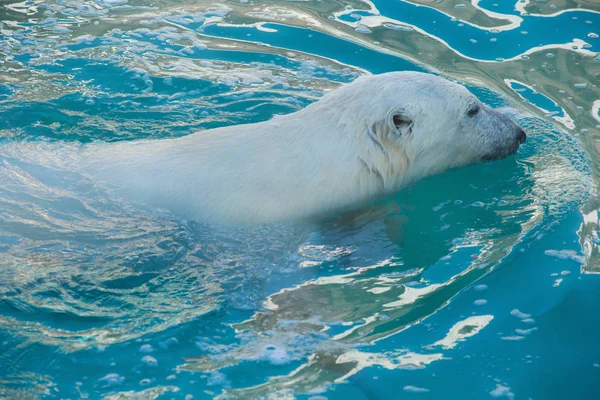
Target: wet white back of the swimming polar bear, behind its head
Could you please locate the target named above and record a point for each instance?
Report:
(257, 172)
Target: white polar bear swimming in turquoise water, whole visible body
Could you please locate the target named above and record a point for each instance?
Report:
(361, 141)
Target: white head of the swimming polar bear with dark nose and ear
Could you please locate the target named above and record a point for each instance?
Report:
(413, 124)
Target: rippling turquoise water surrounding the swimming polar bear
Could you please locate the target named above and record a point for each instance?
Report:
(480, 282)
